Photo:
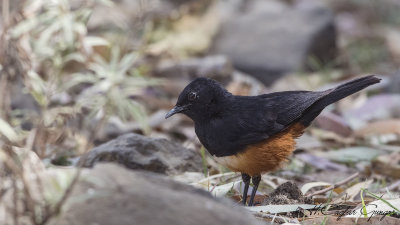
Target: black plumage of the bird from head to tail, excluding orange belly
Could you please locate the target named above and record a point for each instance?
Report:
(225, 124)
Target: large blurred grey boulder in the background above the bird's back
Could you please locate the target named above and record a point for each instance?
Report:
(270, 38)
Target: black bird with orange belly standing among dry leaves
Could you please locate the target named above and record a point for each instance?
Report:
(255, 134)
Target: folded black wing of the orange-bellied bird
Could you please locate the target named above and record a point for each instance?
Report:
(263, 116)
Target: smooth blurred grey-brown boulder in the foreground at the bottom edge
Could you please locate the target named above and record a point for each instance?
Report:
(123, 197)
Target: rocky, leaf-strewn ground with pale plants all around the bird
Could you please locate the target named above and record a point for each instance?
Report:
(83, 134)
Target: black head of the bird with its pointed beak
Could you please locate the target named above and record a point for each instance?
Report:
(201, 99)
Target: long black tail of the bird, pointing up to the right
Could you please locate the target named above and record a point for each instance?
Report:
(335, 94)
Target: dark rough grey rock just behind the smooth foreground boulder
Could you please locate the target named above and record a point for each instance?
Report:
(140, 152)
